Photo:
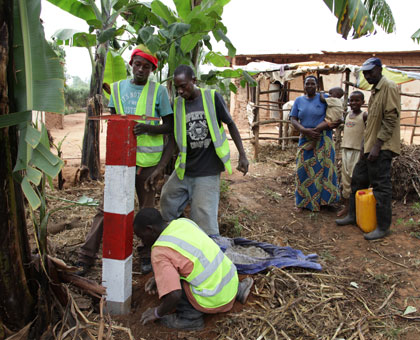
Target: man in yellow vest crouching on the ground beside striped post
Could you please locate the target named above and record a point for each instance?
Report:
(191, 274)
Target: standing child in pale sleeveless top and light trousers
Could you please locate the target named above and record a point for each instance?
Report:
(354, 127)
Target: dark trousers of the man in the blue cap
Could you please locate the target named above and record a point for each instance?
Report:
(378, 175)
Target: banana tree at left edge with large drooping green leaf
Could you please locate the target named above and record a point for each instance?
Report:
(32, 80)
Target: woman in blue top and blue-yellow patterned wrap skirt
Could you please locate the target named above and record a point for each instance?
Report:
(316, 173)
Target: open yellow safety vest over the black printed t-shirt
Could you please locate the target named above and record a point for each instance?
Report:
(217, 133)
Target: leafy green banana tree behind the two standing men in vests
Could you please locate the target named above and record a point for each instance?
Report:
(180, 36)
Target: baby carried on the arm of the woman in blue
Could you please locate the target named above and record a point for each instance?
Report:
(334, 111)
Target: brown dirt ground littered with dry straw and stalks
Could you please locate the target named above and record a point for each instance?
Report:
(362, 291)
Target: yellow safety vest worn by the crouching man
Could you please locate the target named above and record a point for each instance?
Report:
(214, 279)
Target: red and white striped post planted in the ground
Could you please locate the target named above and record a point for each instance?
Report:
(120, 173)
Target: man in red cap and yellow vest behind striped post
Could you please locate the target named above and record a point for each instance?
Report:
(140, 96)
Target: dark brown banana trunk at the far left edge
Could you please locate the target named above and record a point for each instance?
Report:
(16, 295)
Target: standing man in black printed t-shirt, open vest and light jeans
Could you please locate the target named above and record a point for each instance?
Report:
(196, 178)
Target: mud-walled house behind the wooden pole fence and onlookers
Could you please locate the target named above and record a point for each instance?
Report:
(403, 60)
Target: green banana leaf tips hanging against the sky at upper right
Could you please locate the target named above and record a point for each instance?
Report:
(360, 16)
